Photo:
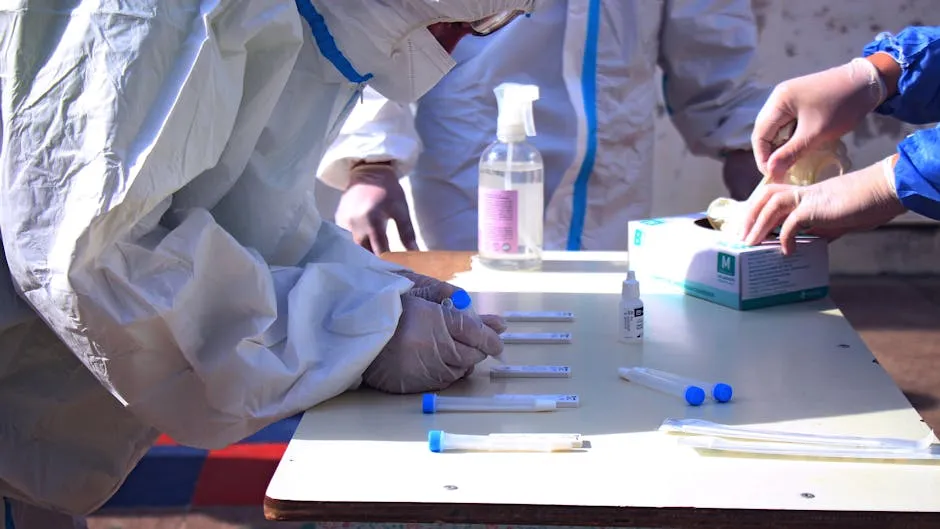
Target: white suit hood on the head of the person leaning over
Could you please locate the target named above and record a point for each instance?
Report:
(383, 38)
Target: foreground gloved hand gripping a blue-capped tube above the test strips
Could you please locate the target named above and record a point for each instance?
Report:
(434, 346)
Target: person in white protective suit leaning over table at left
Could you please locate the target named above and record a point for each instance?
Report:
(167, 268)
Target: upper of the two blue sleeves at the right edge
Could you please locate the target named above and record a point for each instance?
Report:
(917, 50)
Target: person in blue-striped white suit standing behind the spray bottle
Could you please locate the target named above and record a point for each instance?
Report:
(595, 63)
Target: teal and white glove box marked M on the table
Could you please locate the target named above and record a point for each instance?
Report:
(708, 264)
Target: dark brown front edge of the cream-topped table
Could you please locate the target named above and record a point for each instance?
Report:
(590, 516)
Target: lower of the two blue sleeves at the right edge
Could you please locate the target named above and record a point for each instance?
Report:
(917, 172)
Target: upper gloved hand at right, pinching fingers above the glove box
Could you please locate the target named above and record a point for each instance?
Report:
(825, 106)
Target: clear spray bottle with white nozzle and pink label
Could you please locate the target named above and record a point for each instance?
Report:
(511, 186)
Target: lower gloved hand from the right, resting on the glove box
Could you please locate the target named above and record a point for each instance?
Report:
(856, 201)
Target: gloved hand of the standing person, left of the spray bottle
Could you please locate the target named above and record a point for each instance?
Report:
(374, 195)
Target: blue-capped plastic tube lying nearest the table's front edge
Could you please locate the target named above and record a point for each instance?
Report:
(440, 441)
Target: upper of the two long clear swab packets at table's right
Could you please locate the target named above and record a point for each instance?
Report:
(702, 427)
